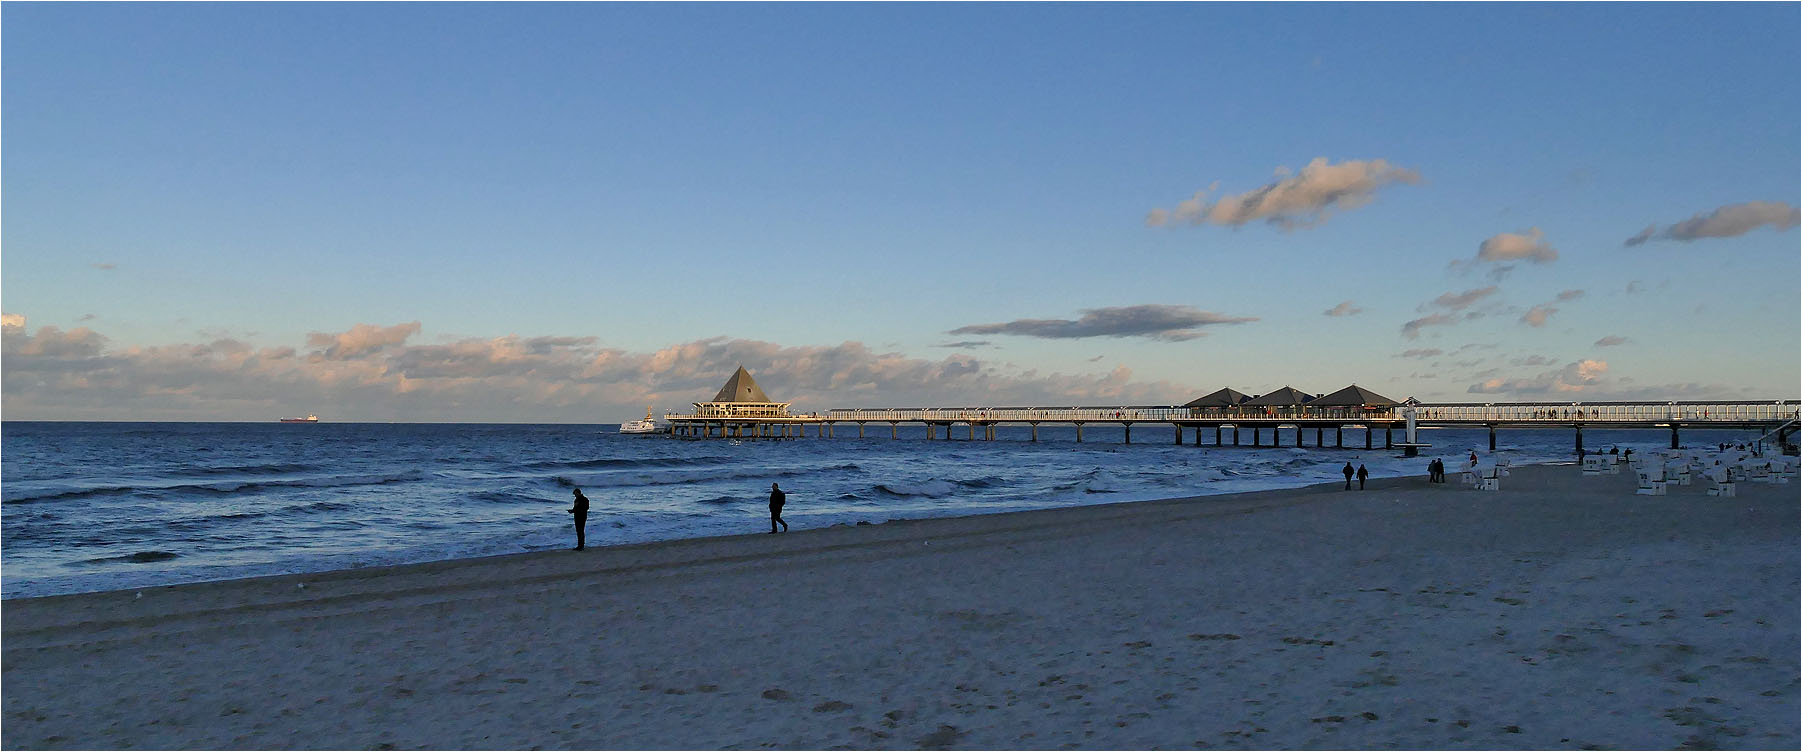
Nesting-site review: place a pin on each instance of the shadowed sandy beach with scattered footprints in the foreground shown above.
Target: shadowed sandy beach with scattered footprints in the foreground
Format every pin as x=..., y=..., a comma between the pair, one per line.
x=1559, y=613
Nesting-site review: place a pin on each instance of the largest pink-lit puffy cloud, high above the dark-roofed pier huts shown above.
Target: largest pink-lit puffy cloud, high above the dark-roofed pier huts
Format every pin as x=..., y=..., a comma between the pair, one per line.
x=1294, y=201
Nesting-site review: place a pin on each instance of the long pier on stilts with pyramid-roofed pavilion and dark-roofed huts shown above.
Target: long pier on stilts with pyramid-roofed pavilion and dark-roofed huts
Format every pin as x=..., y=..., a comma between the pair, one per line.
x=1283, y=417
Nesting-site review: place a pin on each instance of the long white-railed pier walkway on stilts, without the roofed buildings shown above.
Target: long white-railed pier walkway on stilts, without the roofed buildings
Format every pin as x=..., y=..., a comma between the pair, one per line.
x=1281, y=422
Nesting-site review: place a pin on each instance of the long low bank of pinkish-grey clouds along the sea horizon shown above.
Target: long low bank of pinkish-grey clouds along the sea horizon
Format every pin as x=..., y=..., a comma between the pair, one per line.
x=372, y=374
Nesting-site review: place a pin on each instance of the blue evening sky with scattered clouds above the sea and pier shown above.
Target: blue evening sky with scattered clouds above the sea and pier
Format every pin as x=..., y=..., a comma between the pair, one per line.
x=567, y=212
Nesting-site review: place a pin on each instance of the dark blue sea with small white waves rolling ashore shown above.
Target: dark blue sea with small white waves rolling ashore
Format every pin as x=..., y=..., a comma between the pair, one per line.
x=96, y=507
